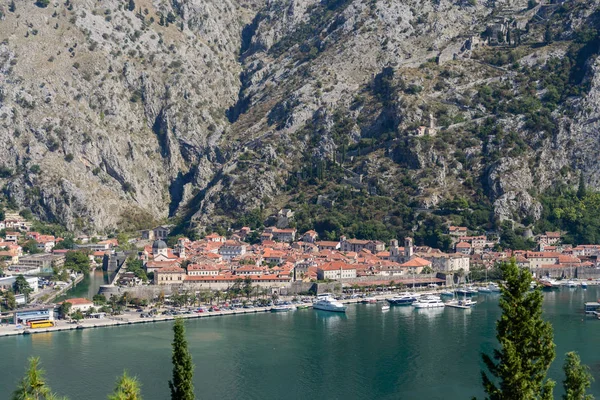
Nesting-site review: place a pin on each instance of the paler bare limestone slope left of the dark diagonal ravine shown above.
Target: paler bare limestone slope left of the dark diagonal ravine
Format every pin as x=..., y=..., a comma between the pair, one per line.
x=106, y=112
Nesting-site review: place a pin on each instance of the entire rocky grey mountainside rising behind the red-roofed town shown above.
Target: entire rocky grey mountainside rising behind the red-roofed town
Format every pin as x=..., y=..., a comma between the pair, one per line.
x=117, y=114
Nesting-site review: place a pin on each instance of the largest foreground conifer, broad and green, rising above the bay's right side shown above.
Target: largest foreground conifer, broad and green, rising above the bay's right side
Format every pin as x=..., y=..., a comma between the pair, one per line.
x=527, y=349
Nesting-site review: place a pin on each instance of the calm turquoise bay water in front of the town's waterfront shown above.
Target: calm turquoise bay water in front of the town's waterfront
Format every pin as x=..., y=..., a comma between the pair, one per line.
x=305, y=354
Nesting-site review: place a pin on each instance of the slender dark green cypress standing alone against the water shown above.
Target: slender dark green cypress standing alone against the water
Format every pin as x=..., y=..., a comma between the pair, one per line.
x=182, y=387
